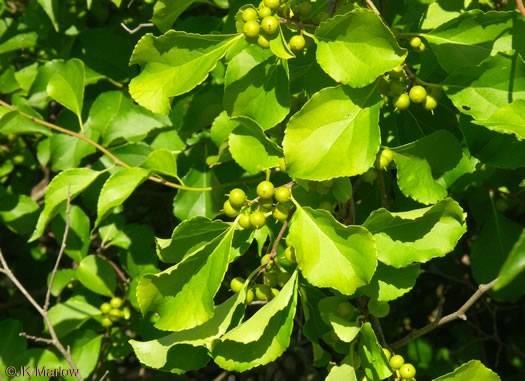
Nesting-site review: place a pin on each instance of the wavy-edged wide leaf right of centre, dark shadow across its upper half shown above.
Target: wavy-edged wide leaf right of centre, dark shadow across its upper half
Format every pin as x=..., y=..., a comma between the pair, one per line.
x=418, y=235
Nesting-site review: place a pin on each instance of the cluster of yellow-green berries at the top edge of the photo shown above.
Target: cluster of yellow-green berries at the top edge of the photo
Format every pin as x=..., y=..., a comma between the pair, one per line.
x=261, y=23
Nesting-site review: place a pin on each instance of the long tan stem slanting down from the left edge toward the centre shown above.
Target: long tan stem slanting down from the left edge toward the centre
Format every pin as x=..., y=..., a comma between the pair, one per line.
x=104, y=150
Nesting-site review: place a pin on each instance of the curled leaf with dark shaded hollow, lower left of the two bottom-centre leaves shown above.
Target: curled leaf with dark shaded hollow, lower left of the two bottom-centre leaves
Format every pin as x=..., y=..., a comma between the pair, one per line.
x=179, y=351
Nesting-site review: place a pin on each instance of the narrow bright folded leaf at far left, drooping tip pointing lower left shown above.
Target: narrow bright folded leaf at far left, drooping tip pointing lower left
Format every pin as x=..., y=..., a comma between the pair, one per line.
x=76, y=180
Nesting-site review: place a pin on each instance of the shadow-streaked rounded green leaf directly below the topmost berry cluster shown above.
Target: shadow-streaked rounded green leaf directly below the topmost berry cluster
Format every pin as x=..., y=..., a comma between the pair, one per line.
x=256, y=86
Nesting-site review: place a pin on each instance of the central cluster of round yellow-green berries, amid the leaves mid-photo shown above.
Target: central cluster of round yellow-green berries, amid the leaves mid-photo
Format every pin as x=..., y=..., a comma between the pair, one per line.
x=237, y=201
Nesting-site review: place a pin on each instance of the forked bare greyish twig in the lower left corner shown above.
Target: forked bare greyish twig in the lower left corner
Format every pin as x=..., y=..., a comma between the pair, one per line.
x=43, y=311
